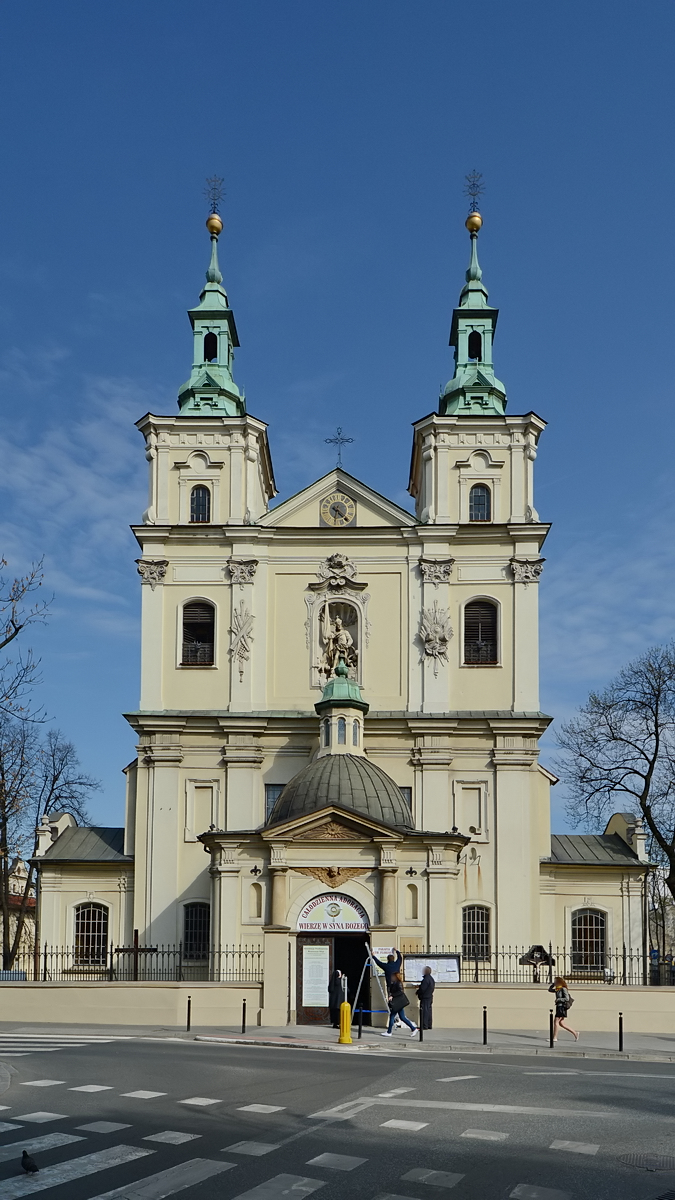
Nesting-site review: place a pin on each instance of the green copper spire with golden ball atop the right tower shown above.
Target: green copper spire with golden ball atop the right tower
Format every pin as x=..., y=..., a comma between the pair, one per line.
x=474, y=391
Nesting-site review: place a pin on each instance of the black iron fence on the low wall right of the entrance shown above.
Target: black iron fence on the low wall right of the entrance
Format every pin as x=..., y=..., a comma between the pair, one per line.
x=513, y=964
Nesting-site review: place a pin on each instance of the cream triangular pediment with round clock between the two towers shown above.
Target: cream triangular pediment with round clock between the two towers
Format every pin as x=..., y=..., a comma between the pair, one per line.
x=304, y=508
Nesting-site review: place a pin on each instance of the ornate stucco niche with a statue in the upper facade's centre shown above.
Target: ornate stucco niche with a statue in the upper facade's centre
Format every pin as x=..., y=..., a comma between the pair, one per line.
x=337, y=619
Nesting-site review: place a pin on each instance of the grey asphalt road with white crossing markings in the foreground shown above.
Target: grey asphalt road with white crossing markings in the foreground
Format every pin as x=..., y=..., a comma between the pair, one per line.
x=138, y=1119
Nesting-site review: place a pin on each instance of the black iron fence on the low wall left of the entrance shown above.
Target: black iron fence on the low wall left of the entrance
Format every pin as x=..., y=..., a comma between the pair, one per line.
x=157, y=964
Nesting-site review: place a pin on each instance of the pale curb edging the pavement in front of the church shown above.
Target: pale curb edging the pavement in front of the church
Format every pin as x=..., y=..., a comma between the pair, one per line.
x=367, y=1047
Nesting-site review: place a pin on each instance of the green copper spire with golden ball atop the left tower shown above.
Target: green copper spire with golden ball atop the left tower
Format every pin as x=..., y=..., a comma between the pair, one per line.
x=211, y=389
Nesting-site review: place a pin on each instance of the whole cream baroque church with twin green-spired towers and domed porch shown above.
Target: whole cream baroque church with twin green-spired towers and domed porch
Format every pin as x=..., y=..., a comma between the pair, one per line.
x=339, y=719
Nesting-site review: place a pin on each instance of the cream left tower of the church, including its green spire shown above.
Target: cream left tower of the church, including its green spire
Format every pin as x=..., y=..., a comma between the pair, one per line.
x=211, y=479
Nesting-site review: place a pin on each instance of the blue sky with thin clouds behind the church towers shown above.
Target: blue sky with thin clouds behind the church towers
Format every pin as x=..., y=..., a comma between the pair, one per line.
x=344, y=135
